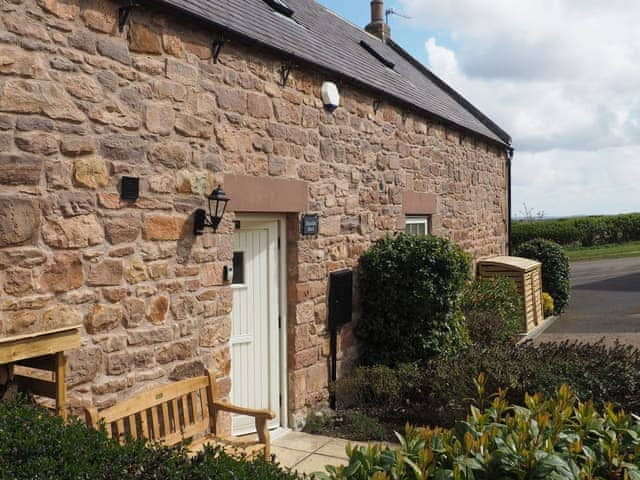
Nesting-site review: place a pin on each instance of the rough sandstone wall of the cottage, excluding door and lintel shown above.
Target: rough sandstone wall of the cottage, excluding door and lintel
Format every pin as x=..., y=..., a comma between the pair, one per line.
x=82, y=104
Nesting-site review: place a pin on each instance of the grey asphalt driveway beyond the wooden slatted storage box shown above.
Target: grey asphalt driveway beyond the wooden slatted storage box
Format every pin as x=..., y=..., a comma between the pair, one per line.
x=605, y=303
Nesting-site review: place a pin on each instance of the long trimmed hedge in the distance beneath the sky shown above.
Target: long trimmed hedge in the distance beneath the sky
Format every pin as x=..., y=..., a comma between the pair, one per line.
x=582, y=231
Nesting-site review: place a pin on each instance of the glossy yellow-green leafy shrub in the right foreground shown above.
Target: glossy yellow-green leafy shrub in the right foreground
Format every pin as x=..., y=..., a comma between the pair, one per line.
x=557, y=438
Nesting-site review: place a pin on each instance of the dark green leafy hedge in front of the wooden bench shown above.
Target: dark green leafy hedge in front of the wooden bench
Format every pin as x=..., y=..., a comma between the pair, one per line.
x=37, y=445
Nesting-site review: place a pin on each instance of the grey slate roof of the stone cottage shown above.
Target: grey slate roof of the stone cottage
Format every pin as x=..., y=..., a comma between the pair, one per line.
x=317, y=36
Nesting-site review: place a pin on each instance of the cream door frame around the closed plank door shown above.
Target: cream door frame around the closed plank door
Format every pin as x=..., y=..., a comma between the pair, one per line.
x=282, y=301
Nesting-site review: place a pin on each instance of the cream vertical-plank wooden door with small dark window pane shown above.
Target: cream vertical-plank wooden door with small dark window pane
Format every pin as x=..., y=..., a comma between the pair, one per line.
x=255, y=353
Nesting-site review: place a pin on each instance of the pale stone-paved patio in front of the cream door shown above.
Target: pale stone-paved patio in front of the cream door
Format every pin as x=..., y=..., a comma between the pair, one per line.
x=308, y=453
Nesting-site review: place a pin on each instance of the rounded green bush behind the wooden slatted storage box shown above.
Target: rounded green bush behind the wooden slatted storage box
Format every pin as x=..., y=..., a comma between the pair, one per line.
x=555, y=269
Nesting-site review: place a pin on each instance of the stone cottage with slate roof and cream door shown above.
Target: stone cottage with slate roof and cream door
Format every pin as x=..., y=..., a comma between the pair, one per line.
x=188, y=95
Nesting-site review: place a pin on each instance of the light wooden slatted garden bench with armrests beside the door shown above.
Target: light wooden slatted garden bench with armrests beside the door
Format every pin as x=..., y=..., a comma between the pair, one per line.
x=179, y=411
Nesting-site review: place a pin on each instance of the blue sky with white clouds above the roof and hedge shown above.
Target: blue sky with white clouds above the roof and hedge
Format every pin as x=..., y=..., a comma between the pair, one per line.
x=561, y=77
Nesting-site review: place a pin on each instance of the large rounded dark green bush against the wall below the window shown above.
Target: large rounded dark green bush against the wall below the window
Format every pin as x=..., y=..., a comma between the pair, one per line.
x=410, y=297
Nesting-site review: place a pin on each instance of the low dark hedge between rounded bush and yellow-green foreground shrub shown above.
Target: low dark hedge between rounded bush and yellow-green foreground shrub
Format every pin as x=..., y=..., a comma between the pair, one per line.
x=437, y=391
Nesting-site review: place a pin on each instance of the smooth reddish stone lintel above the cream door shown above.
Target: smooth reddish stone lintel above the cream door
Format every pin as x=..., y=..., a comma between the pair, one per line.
x=266, y=195
